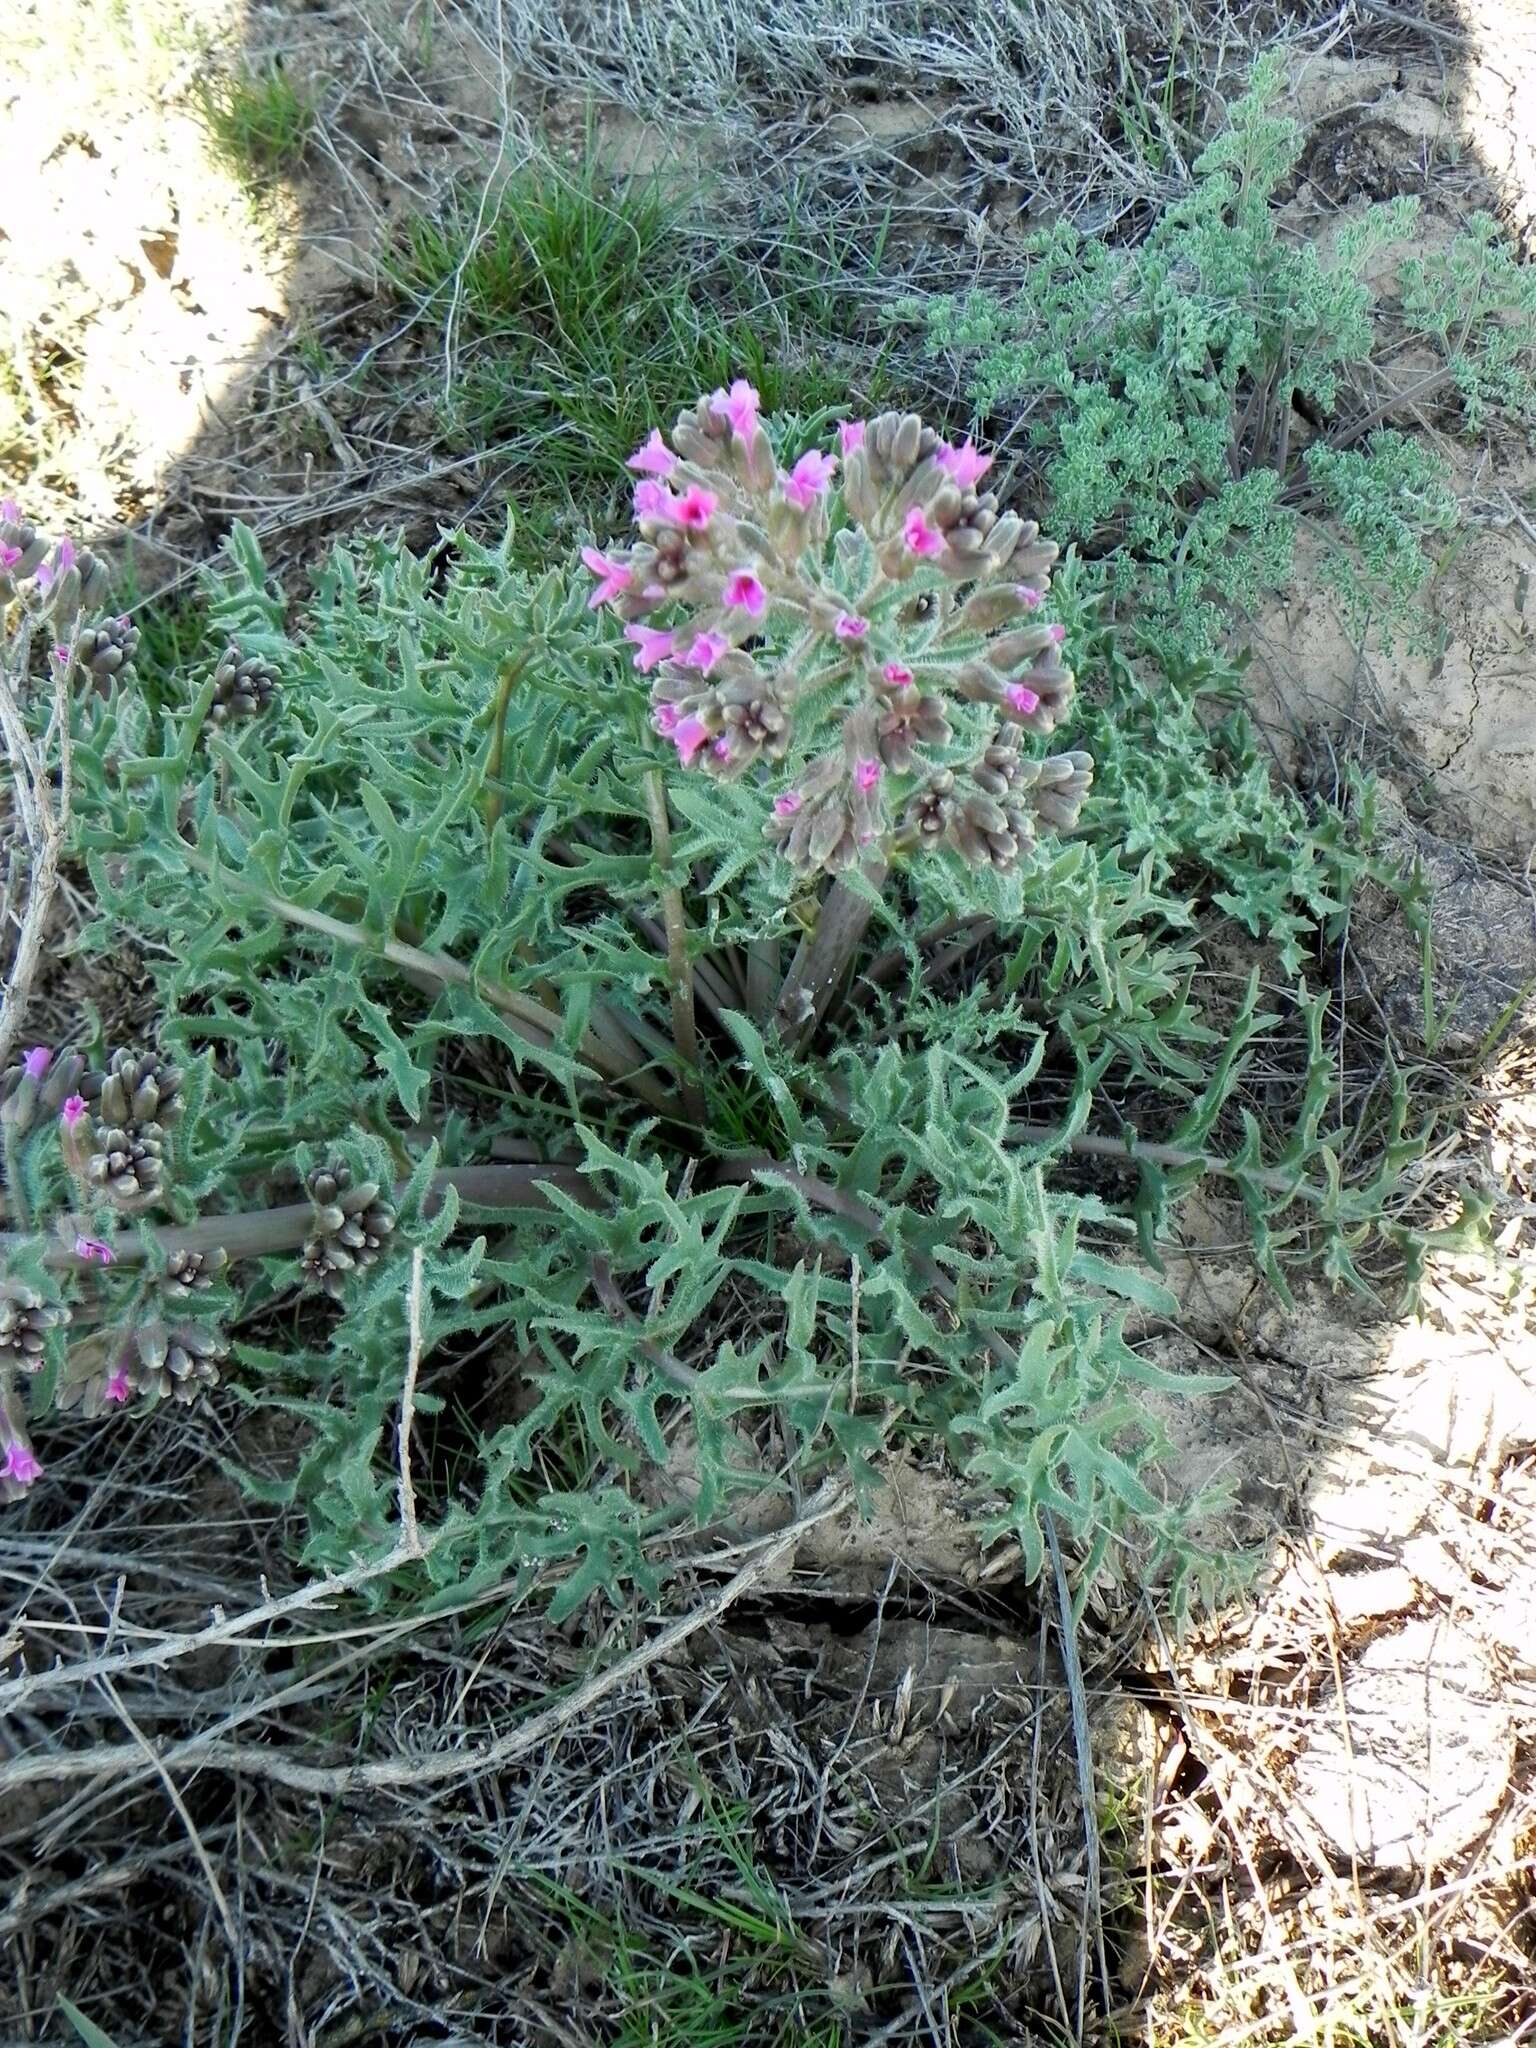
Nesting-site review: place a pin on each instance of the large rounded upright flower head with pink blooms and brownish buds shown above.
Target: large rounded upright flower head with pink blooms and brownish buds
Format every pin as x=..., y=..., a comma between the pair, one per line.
x=878, y=587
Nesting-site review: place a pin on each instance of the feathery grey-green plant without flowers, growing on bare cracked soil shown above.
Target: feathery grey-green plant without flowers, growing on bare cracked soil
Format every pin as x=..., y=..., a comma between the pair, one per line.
x=1191, y=396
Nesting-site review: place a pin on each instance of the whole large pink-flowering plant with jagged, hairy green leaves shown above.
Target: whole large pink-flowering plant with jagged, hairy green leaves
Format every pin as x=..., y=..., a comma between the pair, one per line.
x=757, y=1046
